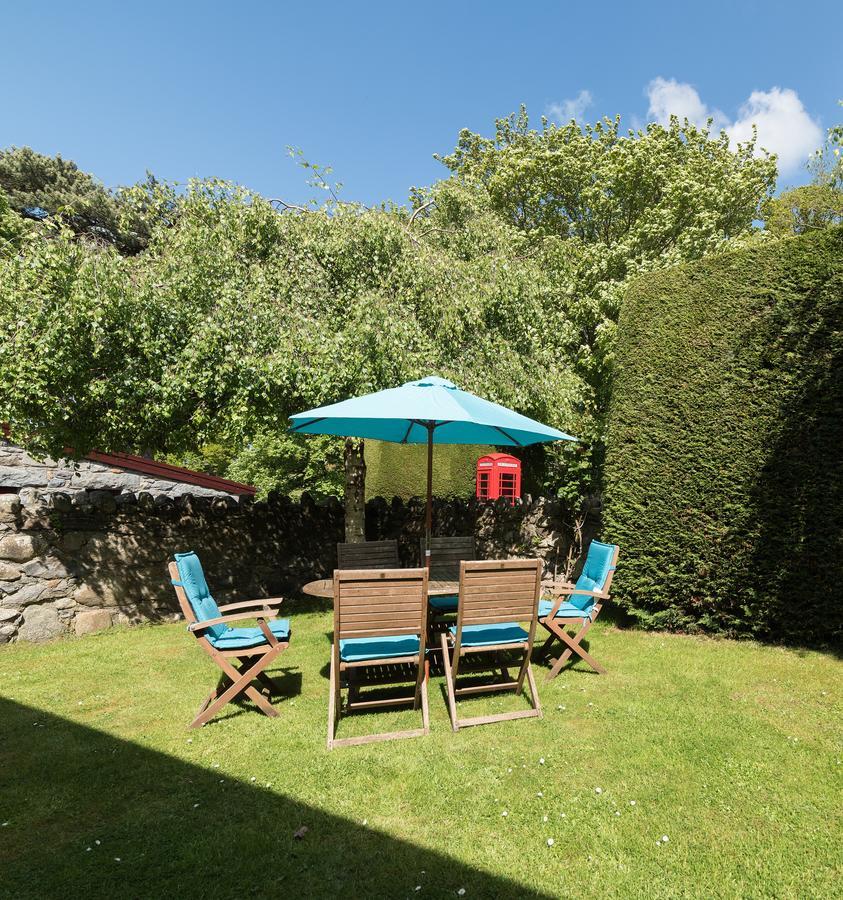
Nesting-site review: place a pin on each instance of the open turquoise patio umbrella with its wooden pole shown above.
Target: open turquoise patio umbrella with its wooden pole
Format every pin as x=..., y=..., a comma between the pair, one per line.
x=429, y=411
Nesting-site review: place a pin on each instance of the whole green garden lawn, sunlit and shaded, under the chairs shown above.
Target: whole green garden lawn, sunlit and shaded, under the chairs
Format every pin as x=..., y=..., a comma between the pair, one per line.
x=731, y=750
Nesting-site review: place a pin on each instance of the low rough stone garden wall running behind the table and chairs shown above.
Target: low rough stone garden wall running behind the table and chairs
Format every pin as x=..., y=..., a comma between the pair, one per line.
x=83, y=562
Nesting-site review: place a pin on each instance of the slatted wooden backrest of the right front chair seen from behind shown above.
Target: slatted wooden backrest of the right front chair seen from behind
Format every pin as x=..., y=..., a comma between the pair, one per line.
x=498, y=591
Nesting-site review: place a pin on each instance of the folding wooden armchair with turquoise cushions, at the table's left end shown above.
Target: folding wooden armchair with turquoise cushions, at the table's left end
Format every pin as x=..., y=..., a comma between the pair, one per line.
x=241, y=653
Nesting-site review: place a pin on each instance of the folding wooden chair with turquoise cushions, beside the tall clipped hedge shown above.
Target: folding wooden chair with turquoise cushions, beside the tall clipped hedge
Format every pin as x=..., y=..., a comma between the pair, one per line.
x=583, y=607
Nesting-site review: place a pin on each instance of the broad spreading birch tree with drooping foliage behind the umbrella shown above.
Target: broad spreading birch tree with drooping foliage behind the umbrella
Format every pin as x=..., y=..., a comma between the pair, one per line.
x=237, y=315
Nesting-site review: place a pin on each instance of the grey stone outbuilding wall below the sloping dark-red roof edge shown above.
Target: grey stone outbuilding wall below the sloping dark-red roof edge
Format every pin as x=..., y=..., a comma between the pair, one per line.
x=21, y=472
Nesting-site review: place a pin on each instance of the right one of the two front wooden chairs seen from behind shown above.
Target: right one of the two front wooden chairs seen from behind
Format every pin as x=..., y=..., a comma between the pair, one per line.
x=495, y=596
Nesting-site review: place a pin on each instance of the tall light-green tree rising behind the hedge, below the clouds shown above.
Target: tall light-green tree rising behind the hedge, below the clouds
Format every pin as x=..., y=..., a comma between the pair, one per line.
x=600, y=206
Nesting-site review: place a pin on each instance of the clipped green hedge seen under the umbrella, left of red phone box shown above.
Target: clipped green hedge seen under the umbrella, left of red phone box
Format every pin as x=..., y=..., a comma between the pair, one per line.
x=393, y=470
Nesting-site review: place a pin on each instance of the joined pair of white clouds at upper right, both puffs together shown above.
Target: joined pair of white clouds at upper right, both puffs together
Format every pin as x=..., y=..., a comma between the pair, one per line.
x=784, y=125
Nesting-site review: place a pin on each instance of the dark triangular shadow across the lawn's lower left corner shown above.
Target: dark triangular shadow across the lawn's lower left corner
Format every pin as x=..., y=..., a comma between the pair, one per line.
x=67, y=787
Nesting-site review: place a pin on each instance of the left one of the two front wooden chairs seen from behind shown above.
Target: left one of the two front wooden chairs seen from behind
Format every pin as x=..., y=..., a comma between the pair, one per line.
x=380, y=619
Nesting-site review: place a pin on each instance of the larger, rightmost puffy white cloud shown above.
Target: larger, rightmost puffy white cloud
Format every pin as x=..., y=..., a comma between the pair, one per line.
x=784, y=126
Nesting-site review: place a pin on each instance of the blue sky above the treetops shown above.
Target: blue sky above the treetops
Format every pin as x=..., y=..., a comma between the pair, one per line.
x=374, y=89
